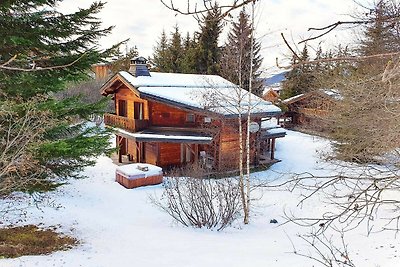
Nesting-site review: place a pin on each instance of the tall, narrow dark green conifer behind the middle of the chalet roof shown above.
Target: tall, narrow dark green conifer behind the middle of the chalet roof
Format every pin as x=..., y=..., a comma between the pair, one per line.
x=208, y=52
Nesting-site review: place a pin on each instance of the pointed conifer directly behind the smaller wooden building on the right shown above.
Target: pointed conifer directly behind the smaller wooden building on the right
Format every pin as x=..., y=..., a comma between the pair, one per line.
x=301, y=79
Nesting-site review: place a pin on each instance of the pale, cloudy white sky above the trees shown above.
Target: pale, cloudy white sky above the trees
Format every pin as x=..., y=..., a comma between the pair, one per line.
x=143, y=21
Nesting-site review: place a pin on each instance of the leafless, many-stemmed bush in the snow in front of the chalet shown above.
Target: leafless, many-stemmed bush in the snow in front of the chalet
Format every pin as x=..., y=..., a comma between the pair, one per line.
x=193, y=199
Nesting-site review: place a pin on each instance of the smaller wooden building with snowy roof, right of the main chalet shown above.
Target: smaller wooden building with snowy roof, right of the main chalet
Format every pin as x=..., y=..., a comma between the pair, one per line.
x=310, y=110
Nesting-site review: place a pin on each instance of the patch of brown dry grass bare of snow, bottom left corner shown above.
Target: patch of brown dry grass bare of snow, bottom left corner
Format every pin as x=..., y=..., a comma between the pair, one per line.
x=31, y=240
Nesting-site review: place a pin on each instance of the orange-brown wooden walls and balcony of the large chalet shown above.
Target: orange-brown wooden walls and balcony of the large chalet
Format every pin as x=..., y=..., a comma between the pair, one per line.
x=142, y=114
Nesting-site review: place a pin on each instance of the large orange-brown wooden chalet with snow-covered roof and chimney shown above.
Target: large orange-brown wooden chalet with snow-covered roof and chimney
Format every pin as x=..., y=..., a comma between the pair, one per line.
x=171, y=119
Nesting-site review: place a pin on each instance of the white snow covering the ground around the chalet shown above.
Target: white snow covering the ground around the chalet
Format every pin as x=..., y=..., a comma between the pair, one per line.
x=120, y=227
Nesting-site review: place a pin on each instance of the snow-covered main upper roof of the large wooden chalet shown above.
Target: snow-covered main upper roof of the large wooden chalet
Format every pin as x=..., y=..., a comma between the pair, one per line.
x=206, y=92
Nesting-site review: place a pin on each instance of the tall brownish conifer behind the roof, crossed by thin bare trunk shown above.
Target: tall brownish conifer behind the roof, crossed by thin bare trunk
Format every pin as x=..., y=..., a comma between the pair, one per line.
x=235, y=60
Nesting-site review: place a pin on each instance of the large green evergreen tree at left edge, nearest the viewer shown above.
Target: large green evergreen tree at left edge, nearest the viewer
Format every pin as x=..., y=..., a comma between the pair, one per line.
x=41, y=52
